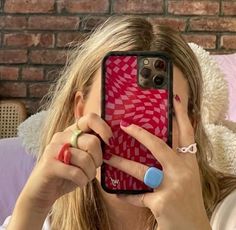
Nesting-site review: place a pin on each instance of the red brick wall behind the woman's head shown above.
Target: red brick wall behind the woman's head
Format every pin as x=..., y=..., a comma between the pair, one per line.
x=35, y=34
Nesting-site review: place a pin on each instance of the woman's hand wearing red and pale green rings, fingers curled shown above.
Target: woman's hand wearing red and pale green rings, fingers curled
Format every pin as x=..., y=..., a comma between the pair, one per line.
x=52, y=178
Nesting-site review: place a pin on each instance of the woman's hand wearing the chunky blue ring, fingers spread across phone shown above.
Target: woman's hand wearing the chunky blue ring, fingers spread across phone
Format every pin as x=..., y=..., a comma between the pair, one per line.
x=177, y=203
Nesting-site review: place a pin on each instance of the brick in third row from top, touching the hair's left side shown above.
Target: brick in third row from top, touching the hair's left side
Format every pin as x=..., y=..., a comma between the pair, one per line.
x=69, y=38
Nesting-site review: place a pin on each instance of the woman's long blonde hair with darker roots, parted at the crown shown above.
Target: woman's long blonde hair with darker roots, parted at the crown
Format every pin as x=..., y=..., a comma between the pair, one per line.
x=84, y=208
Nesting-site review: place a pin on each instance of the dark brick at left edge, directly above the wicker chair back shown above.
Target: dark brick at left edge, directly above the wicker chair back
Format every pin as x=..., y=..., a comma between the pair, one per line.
x=10, y=89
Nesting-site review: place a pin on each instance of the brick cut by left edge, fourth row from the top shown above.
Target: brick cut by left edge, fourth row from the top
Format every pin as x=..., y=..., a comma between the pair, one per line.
x=13, y=56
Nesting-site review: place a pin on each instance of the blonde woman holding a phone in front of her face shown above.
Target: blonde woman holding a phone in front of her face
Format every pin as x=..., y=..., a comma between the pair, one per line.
x=70, y=195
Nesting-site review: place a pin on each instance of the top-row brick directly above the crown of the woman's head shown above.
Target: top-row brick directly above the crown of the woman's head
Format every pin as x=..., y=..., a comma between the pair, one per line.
x=138, y=6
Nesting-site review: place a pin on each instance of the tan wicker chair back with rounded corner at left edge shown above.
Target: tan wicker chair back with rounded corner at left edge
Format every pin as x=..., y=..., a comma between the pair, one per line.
x=12, y=113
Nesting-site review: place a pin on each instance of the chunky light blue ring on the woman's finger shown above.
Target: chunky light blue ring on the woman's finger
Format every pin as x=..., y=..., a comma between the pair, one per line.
x=153, y=177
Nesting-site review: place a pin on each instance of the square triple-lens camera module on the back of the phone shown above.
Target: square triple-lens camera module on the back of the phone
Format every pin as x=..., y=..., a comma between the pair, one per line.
x=152, y=72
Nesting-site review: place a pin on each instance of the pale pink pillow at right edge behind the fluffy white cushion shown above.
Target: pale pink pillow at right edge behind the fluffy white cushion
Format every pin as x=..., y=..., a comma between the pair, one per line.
x=227, y=64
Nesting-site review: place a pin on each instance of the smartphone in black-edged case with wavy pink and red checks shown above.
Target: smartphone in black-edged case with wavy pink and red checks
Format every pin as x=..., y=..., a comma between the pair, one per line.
x=136, y=87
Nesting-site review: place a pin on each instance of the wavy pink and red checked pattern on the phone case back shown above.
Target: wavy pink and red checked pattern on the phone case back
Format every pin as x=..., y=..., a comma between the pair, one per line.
x=146, y=108
